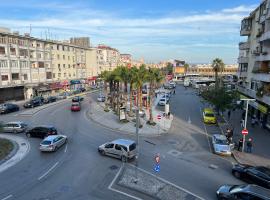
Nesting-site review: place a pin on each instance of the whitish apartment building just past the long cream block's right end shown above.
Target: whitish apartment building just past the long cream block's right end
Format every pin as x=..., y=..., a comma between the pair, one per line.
x=107, y=58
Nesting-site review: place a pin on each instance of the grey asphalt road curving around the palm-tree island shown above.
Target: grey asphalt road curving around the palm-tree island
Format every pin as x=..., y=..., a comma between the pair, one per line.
x=77, y=171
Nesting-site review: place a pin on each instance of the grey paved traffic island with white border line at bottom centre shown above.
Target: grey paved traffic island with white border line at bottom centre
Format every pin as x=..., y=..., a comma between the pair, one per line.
x=144, y=185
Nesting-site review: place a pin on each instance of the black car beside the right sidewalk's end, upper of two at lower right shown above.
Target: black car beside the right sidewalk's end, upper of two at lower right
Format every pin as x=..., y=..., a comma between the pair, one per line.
x=257, y=175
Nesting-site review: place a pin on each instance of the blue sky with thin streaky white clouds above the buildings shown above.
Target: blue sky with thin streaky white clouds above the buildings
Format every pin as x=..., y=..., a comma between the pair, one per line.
x=196, y=31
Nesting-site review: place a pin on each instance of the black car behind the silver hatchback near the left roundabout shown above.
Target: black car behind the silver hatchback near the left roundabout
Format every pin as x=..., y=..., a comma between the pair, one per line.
x=41, y=131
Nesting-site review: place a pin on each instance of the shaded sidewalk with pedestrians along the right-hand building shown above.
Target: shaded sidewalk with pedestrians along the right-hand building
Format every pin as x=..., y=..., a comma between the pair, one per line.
x=261, y=139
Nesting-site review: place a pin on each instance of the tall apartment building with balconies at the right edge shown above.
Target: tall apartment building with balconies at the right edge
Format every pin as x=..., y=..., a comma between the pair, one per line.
x=254, y=61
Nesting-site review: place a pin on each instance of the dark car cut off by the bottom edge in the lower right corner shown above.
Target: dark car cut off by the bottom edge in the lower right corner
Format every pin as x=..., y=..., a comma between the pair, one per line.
x=243, y=192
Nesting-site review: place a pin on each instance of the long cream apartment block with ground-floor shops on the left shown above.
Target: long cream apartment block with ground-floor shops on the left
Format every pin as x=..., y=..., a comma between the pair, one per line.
x=30, y=66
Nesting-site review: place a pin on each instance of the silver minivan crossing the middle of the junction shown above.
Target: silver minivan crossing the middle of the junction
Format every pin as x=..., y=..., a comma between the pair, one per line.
x=120, y=148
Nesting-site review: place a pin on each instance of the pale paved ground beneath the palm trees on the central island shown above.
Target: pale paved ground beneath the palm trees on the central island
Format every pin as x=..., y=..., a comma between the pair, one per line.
x=110, y=120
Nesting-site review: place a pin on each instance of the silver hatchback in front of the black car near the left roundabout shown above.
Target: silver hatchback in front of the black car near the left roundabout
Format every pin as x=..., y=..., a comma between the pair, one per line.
x=52, y=142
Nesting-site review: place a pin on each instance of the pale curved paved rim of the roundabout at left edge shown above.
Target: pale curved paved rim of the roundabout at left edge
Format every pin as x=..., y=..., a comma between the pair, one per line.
x=21, y=148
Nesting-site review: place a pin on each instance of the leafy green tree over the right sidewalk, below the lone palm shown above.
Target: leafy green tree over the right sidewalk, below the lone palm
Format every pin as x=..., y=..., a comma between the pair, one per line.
x=220, y=97
